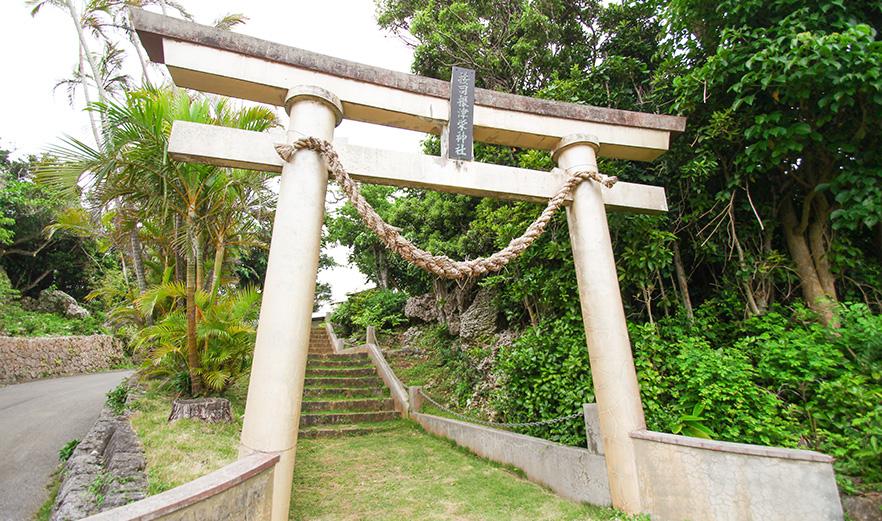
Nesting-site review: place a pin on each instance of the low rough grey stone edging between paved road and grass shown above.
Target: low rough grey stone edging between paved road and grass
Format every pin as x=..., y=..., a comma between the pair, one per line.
x=105, y=471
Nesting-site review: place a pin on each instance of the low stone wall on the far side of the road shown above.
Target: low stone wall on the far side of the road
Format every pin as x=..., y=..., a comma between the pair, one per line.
x=30, y=358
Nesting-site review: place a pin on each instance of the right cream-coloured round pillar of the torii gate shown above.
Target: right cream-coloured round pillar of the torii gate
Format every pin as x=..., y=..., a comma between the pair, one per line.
x=609, y=349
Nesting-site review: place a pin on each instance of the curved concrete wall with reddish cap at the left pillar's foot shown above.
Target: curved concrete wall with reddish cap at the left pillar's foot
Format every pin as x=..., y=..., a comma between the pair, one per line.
x=241, y=491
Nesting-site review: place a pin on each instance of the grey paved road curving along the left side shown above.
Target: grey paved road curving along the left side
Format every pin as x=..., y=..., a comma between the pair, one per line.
x=36, y=419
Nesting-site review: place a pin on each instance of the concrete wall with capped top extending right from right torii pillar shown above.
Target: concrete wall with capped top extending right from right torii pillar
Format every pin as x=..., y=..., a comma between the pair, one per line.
x=690, y=478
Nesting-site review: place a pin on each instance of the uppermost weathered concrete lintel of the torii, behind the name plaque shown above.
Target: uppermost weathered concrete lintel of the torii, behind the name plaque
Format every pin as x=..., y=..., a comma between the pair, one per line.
x=231, y=64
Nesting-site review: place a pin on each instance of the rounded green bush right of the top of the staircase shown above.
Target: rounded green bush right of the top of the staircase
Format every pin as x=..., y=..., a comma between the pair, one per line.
x=381, y=308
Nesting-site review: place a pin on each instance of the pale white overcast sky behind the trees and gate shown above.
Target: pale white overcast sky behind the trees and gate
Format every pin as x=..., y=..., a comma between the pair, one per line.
x=39, y=51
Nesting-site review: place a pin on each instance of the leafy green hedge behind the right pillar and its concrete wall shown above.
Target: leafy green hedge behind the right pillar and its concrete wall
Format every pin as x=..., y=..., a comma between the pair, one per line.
x=780, y=379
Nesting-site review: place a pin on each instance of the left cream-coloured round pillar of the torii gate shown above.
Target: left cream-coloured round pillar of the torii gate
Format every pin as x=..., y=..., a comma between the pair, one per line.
x=275, y=392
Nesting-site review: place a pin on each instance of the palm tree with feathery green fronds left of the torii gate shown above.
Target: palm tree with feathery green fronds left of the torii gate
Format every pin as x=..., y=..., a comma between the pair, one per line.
x=132, y=170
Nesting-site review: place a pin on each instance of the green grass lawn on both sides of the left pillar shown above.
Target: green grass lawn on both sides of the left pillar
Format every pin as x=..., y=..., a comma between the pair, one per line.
x=402, y=473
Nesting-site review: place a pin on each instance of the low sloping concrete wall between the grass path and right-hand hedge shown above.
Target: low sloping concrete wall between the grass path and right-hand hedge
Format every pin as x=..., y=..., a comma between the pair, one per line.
x=571, y=472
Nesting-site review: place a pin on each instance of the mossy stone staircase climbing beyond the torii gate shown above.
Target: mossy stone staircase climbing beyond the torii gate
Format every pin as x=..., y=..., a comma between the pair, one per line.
x=342, y=394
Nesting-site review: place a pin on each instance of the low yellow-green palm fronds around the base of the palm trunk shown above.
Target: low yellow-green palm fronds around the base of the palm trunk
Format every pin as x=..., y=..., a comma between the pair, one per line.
x=225, y=337
